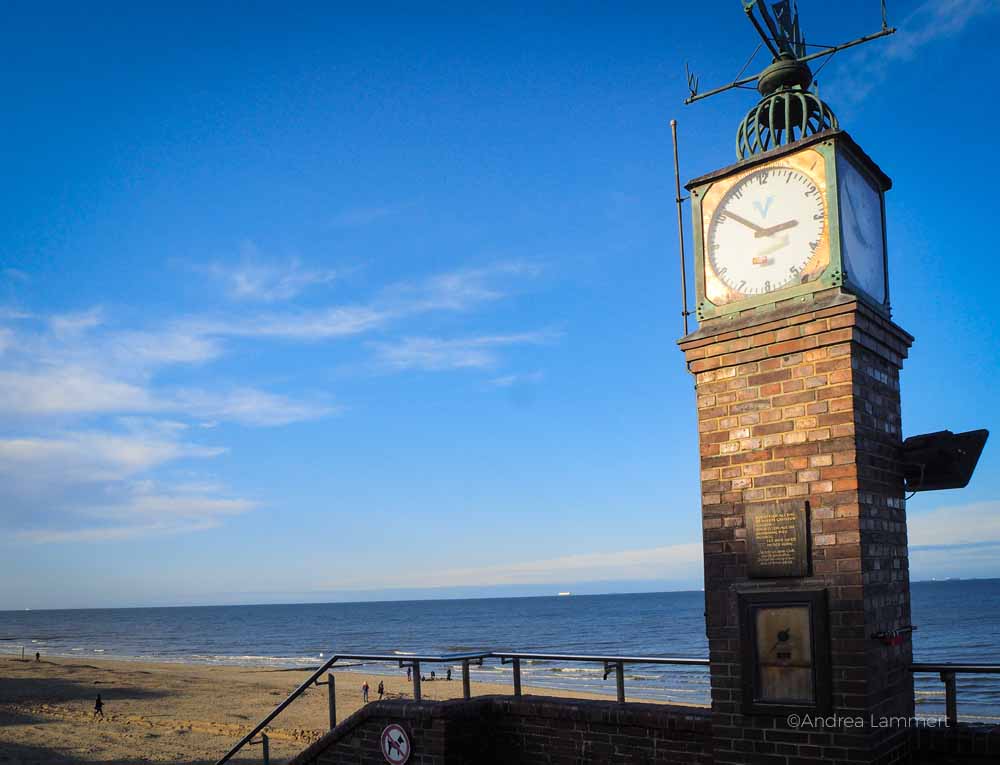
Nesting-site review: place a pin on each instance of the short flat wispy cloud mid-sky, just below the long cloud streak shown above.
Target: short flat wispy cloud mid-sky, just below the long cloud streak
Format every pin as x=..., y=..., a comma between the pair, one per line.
x=436, y=354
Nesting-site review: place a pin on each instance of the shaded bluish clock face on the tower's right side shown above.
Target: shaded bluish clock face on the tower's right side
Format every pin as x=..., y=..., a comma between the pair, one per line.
x=861, y=239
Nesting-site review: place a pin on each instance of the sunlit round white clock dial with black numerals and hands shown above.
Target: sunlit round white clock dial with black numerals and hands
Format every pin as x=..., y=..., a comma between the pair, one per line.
x=765, y=230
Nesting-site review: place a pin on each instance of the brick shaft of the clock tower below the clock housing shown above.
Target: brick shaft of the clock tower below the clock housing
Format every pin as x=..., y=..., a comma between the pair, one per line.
x=803, y=406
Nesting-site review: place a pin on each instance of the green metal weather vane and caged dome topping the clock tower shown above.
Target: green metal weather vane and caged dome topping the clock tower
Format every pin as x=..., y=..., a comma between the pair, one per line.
x=788, y=109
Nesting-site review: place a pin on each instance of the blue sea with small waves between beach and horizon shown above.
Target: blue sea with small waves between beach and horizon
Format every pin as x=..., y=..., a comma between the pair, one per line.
x=957, y=621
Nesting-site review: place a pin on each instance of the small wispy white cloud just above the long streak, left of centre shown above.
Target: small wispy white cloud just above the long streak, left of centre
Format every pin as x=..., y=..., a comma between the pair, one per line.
x=257, y=279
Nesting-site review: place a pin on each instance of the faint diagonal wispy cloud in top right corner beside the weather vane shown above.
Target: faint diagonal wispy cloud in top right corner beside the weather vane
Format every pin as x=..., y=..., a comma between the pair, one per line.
x=930, y=22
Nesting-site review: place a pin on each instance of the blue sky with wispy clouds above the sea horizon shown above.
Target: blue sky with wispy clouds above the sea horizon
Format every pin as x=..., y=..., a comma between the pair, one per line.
x=336, y=301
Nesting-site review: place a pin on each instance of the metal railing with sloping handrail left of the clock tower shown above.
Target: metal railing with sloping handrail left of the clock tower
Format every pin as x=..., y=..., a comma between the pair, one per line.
x=611, y=664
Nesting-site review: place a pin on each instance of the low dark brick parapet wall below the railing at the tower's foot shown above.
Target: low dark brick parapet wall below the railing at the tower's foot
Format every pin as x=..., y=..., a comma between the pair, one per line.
x=550, y=731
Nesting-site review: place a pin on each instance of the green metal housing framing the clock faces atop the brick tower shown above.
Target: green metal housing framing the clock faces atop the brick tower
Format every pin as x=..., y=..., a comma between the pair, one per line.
x=830, y=144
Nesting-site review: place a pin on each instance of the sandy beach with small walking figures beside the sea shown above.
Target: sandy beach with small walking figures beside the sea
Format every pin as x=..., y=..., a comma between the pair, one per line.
x=175, y=713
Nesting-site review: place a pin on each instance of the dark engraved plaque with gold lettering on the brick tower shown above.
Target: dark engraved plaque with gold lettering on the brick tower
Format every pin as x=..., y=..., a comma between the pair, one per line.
x=778, y=540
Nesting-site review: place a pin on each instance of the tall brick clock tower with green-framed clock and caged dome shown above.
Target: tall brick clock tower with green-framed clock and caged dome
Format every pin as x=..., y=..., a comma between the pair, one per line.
x=796, y=365
